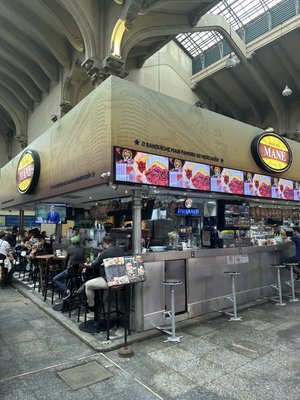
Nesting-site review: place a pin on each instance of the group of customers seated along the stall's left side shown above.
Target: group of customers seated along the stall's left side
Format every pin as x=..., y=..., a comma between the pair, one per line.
x=32, y=243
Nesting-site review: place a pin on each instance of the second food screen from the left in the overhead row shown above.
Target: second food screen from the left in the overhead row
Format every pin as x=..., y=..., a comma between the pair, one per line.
x=189, y=175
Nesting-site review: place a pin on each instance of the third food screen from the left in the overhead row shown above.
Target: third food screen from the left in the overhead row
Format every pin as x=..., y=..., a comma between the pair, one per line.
x=227, y=180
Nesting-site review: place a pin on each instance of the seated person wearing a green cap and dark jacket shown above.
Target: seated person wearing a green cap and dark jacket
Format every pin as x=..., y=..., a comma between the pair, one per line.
x=75, y=256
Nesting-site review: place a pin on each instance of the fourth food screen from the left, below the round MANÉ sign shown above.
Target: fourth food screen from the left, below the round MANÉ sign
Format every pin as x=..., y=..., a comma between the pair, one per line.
x=257, y=185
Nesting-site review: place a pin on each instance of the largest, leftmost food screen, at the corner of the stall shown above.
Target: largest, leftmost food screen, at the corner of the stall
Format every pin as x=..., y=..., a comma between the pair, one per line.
x=144, y=168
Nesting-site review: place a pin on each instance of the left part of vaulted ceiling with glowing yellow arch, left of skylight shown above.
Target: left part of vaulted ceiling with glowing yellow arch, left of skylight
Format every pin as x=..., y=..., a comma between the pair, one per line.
x=43, y=41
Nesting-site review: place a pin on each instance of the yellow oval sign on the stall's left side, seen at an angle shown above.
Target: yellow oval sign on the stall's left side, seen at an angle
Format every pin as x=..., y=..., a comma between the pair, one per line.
x=28, y=172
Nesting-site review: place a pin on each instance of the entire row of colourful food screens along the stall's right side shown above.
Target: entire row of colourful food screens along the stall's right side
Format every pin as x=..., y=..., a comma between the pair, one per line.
x=133, y=166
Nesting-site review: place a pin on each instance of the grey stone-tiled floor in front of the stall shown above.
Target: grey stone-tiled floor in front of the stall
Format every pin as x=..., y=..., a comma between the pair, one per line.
x=256, y=359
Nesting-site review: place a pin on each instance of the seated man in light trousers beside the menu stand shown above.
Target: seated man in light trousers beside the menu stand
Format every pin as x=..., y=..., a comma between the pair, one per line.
x=110, y=251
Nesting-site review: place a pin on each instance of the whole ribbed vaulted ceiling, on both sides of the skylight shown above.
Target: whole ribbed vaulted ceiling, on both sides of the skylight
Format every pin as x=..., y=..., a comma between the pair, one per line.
x=45, y=41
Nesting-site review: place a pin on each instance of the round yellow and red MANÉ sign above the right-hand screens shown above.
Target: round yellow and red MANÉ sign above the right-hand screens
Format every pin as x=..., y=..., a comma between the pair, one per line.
x=271, y=152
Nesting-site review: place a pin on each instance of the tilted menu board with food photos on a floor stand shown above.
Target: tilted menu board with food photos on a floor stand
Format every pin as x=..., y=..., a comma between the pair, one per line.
x=124, y=270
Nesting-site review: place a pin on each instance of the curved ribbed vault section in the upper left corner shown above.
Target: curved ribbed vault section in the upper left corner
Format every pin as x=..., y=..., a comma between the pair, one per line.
x=38, y=38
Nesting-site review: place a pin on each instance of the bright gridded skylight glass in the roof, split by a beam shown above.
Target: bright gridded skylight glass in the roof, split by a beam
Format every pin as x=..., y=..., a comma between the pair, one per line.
x=238, y=13
